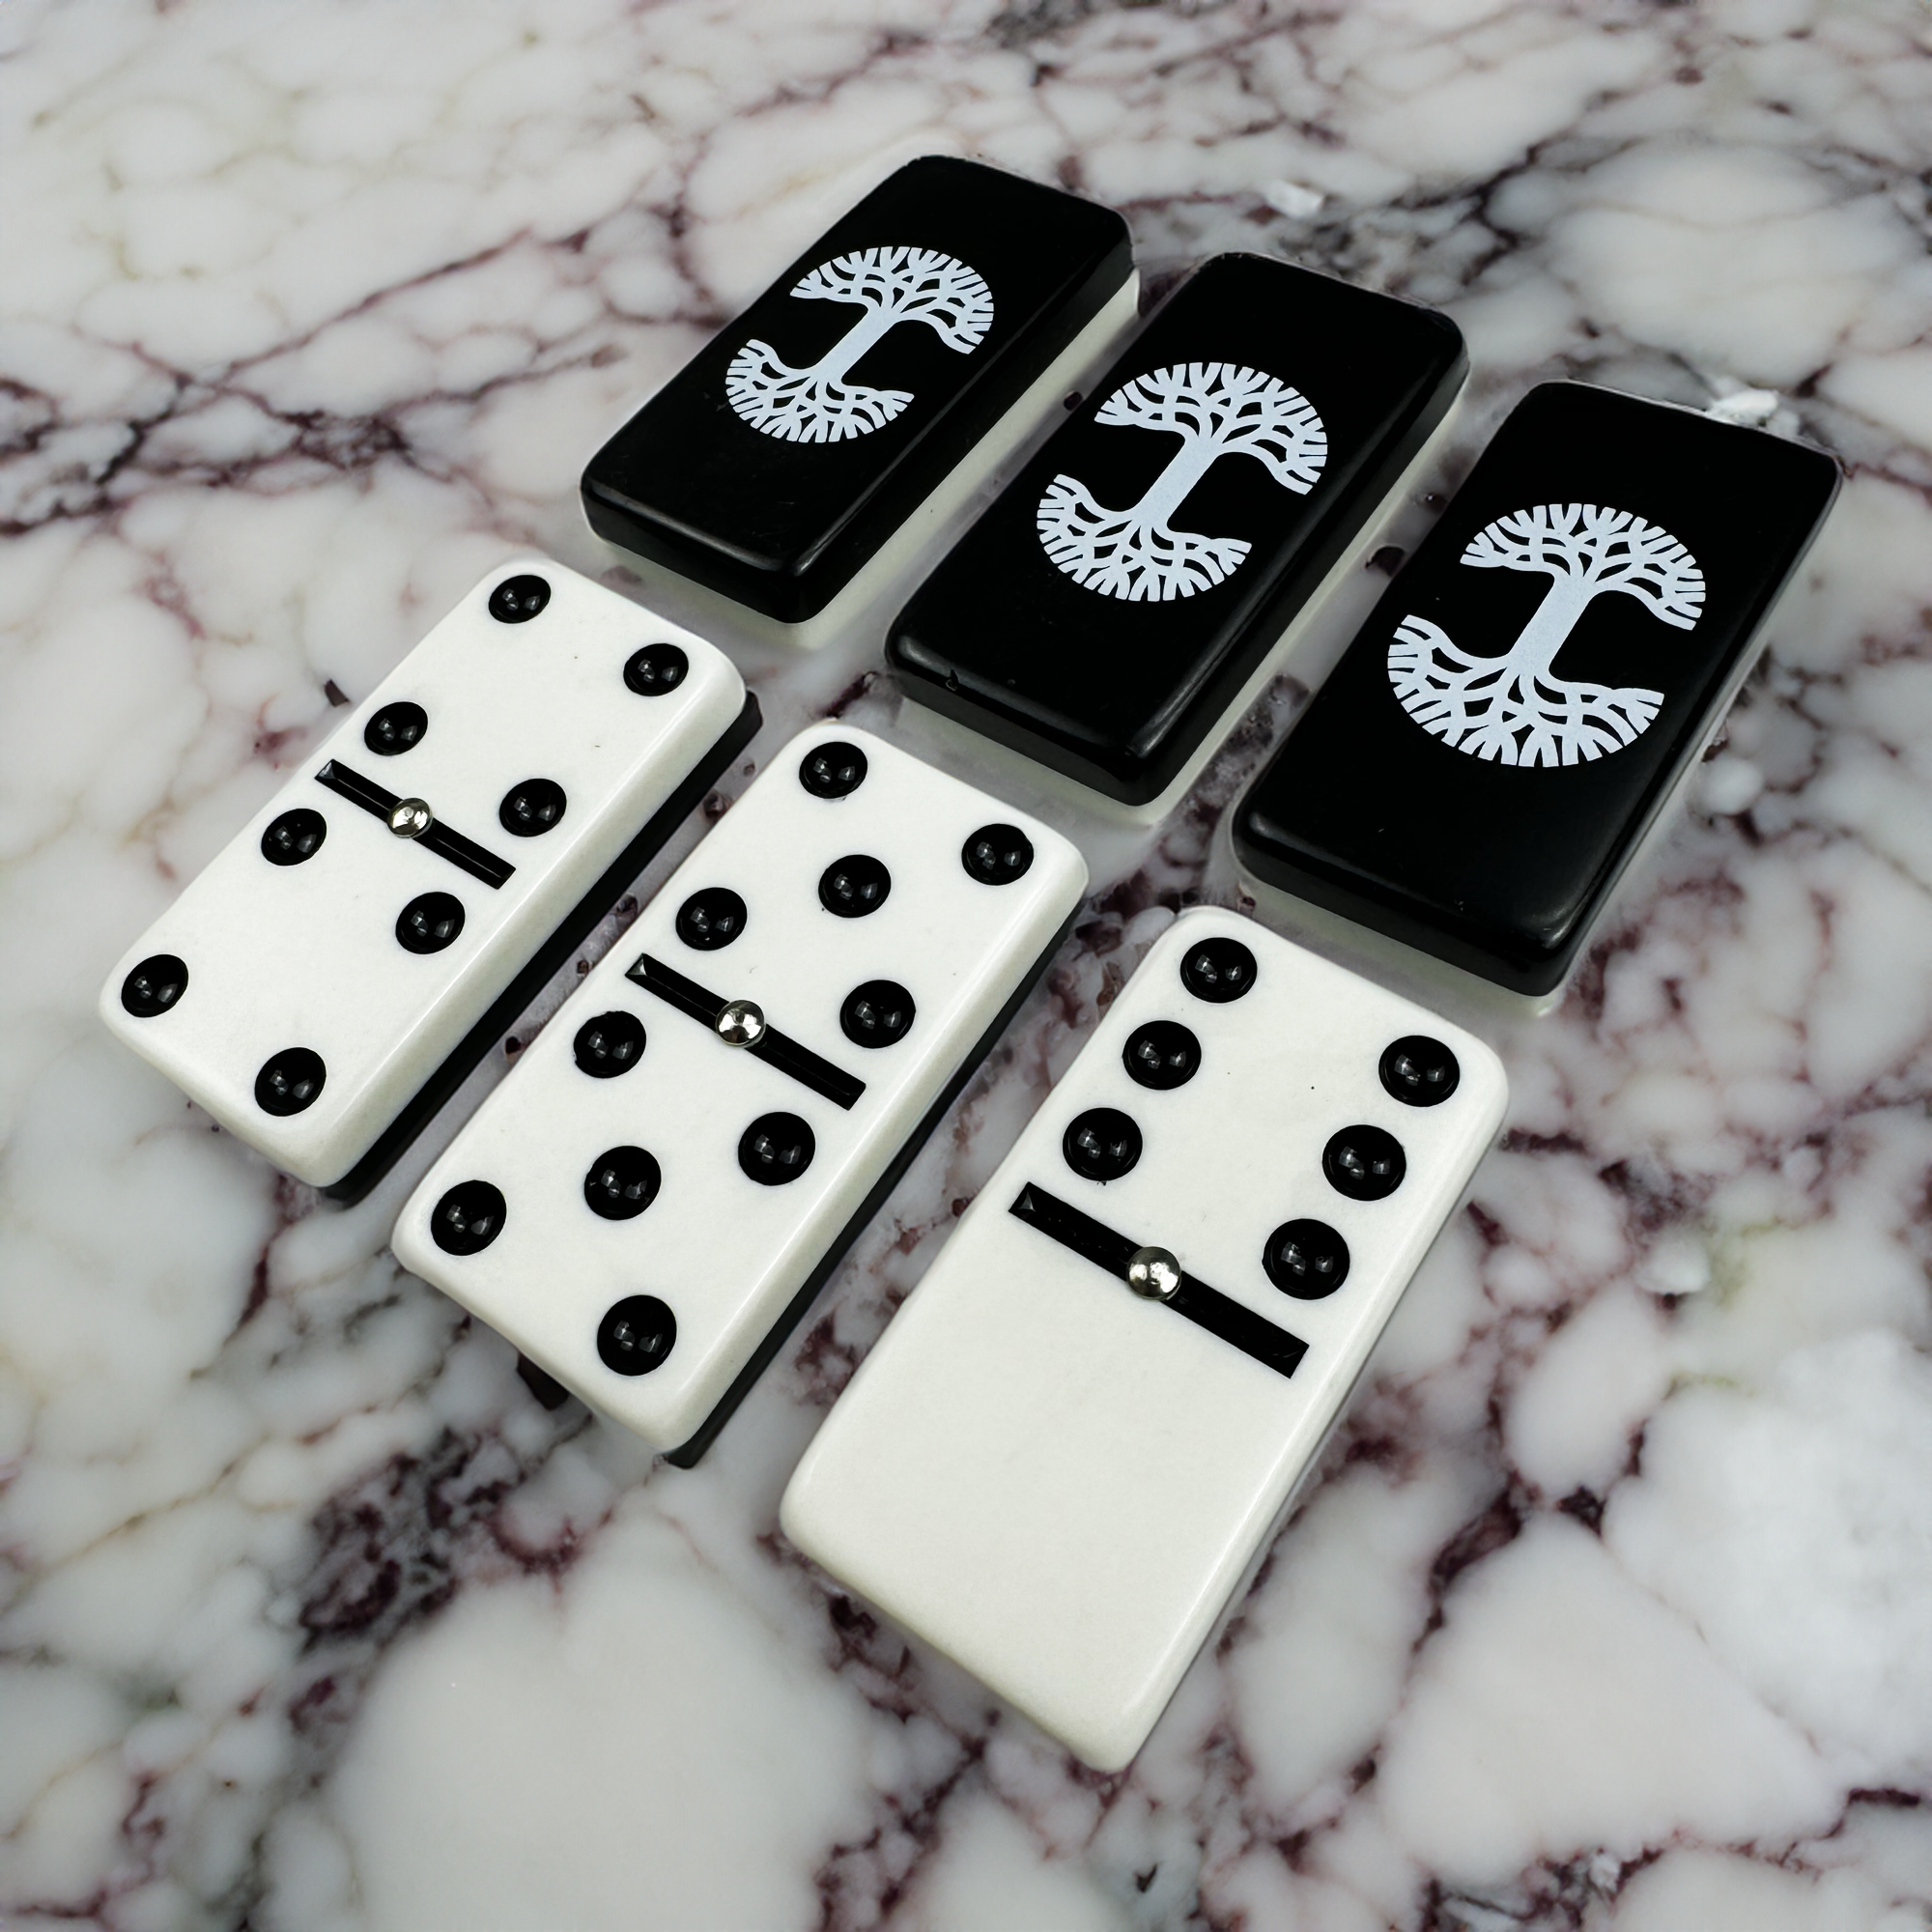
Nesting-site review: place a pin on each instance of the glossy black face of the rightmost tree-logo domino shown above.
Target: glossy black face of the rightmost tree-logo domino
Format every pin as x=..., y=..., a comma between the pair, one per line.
x=1498, y=739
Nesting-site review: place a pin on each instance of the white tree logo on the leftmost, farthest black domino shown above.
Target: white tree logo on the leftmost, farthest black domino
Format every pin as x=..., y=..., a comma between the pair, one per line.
x=892, y=285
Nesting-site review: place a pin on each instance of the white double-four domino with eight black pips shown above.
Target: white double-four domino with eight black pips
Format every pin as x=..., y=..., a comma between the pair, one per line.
x=341, y=967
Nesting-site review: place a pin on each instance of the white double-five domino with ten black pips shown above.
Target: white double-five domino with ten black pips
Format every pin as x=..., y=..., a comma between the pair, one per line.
x=677, y=1164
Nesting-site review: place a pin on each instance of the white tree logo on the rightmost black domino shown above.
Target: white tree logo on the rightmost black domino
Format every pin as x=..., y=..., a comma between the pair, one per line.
x=1512, y=708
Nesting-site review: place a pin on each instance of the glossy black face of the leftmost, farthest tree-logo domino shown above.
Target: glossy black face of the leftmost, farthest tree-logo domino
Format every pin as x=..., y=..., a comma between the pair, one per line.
x=793, y=445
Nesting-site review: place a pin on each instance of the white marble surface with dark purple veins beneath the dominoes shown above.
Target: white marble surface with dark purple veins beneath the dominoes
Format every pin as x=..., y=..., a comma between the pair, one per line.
x=1608, y=1606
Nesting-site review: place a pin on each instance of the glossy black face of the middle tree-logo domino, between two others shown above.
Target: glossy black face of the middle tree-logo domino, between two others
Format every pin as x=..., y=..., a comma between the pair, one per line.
x=1112, y=604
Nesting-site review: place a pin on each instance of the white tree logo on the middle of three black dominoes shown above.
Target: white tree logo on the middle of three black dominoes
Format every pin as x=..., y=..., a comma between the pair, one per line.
x=1218, y=411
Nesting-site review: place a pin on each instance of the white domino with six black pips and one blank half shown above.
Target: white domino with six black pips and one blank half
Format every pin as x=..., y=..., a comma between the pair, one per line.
x=1077, y=1436
